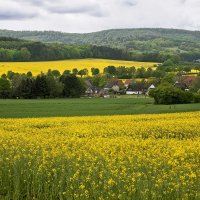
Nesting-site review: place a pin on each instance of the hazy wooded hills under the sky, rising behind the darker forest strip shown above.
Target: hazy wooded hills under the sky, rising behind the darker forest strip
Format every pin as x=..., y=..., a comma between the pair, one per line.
x=155, y=45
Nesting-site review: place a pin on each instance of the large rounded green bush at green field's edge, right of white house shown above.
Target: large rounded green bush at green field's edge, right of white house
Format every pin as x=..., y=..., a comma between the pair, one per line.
x=168, y=94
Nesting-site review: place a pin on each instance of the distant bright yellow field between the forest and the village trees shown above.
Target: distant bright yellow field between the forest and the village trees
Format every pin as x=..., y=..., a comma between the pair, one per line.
x=38, y=67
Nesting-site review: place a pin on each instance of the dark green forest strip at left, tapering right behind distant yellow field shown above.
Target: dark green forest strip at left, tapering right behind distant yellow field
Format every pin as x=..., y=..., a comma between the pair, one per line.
x=22, y=50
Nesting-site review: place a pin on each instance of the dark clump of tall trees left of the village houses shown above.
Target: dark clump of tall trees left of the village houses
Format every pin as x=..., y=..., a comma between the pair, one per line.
x=50, y=85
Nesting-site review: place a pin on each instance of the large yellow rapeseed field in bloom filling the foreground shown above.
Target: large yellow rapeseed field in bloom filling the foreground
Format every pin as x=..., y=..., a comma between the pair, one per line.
x=111, y=157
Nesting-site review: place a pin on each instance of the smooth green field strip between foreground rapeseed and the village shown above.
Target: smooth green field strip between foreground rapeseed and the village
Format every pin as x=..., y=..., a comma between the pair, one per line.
x=87, y=107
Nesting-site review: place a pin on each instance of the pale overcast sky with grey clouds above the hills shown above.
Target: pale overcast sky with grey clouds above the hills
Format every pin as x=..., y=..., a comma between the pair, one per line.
x=95, y=15
